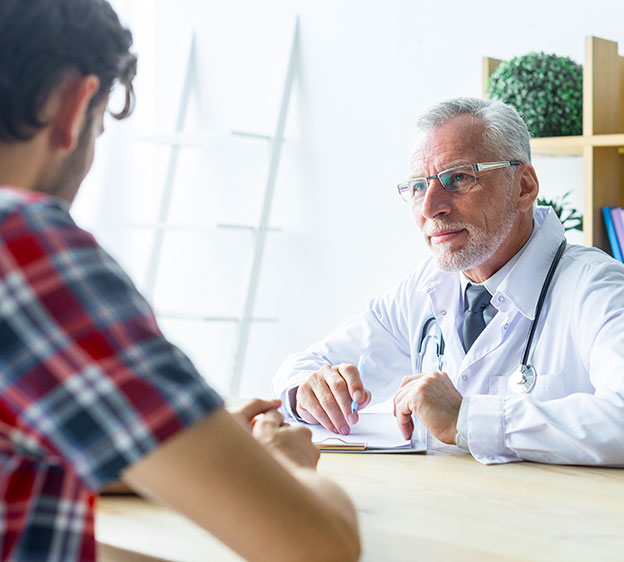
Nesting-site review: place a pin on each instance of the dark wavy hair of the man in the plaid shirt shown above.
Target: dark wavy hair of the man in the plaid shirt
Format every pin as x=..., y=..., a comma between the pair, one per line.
x=43, y=40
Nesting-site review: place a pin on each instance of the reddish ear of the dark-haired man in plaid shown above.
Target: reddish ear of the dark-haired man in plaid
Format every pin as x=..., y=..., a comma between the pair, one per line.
x=71, y=108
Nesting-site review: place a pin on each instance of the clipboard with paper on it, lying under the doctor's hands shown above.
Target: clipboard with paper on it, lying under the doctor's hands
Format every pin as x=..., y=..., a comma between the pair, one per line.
x=375, y=433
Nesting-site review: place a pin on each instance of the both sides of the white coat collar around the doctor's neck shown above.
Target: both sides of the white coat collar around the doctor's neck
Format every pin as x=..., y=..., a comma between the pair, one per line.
x=524, y=281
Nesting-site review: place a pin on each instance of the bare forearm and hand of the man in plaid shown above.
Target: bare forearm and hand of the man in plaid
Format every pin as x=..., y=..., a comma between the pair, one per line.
x=264, y=506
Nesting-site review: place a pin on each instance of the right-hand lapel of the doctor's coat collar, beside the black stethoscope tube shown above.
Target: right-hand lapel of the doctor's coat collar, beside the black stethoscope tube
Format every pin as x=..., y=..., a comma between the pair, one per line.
x=524, y=282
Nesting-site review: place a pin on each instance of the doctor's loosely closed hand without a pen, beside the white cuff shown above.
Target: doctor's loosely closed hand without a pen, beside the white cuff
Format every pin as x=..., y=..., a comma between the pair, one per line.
x=434, y=400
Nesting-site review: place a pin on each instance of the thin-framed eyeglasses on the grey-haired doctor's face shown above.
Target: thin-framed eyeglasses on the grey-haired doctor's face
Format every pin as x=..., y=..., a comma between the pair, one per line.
x=455, y=180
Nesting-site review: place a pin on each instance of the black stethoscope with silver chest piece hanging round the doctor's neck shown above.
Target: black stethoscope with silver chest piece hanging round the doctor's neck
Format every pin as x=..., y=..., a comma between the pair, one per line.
x=522, y=378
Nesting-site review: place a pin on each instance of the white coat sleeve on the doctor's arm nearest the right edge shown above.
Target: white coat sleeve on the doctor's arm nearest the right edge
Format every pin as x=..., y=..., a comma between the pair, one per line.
x=582, y=428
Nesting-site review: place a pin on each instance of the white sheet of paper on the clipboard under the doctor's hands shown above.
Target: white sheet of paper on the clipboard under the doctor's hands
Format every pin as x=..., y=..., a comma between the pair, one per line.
x=376, y=430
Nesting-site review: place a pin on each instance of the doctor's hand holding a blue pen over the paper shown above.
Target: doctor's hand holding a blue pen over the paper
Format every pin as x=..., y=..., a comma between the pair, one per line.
x=326, y=397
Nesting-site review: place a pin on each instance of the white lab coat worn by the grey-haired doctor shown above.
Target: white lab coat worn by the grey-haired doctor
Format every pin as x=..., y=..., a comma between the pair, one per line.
x=575, y=412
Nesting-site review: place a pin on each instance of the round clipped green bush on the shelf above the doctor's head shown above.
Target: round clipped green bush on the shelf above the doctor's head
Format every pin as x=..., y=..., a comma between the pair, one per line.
x=547, y=91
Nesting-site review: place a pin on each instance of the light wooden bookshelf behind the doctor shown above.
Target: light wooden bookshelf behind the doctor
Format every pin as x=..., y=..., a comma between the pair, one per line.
x=602, y=141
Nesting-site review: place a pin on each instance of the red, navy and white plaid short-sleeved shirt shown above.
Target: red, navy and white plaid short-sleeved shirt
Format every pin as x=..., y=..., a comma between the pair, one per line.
x=88, y=384
